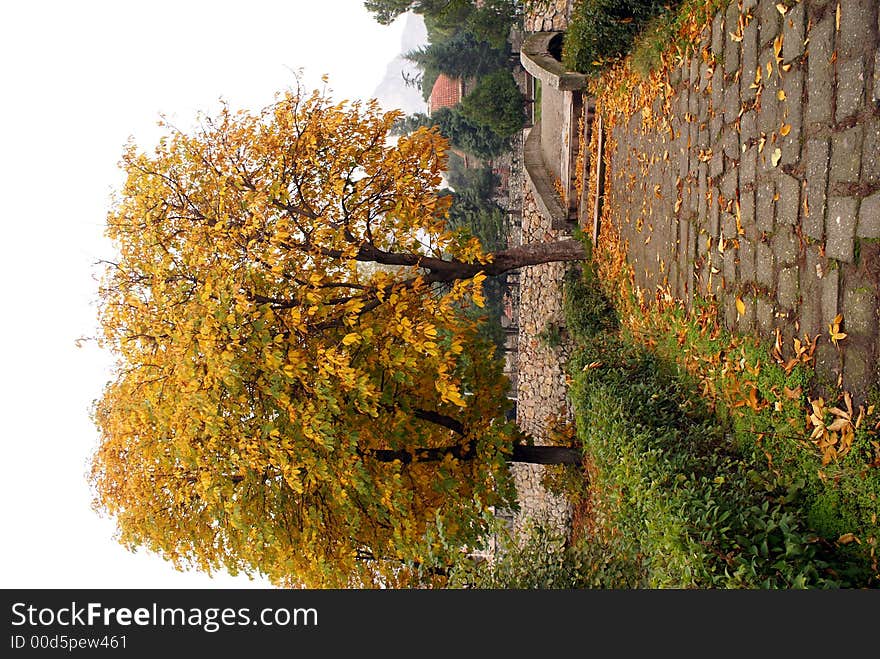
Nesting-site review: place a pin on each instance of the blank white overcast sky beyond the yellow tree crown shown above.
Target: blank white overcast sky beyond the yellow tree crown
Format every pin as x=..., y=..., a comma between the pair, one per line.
x=76, y=79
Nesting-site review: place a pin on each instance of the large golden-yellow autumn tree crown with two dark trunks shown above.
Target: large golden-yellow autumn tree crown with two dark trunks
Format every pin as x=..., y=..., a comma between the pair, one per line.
x=297, y=393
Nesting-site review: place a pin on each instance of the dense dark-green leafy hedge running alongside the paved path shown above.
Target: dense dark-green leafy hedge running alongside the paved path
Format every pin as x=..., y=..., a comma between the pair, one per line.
x=699, y=513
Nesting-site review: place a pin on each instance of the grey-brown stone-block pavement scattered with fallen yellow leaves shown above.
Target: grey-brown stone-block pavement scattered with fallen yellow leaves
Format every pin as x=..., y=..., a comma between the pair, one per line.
x=757, y=177
